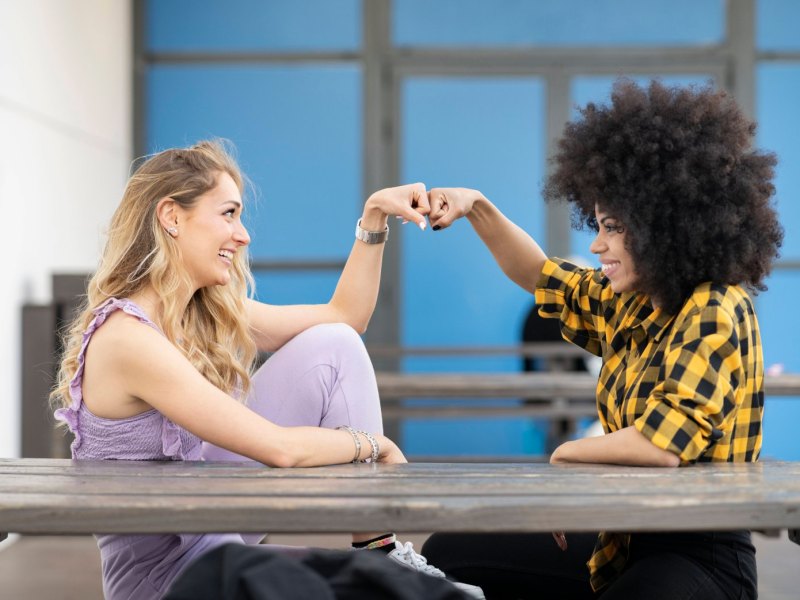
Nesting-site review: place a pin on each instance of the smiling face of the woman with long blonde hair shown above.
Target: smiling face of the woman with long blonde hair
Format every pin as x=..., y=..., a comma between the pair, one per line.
x=211, y=232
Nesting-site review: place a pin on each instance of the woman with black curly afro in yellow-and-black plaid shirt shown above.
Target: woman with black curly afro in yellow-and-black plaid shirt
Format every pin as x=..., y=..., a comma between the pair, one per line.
x=681, y=205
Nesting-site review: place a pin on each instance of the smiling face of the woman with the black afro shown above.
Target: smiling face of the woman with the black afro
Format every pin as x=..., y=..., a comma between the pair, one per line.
x=616, y=261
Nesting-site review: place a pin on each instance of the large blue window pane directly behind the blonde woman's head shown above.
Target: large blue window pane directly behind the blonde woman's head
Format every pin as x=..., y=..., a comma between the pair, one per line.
x=298, y=135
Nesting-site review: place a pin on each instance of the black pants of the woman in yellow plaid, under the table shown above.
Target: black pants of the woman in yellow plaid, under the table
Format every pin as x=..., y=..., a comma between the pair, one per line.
x=662, y=566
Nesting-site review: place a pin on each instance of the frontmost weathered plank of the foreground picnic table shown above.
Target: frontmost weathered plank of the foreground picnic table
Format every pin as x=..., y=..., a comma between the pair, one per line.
x=31, y=513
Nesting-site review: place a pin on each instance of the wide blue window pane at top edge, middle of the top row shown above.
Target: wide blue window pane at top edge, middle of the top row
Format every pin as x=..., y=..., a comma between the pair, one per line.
x=557, y=22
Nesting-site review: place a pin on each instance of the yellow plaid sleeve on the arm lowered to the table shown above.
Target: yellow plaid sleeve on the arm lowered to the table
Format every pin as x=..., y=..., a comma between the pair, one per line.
x=695, y=401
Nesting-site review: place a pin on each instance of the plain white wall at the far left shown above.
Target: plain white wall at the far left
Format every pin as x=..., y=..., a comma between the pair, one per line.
x=65, y=149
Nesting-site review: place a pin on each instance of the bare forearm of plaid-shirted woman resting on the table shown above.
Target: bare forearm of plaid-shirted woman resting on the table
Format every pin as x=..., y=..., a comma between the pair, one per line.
x=624, y=447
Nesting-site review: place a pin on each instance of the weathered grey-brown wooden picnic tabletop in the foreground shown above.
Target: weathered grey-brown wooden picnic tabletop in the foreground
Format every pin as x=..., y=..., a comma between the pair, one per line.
x=60, y=496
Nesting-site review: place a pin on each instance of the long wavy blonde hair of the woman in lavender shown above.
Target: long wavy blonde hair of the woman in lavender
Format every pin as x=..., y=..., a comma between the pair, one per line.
x=212, y=331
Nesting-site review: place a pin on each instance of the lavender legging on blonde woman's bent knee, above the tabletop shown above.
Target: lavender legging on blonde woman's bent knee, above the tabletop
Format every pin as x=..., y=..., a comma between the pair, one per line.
x=323, y=377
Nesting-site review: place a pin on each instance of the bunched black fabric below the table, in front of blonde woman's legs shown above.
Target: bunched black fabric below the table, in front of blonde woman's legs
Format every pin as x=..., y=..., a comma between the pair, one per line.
x=239, y=572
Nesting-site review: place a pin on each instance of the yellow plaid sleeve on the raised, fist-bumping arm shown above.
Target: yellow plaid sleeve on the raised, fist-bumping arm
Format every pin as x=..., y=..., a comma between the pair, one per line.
x=574, y=295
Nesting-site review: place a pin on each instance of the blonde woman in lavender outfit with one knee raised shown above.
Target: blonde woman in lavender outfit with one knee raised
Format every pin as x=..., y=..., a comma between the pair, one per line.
x=159, y=359
